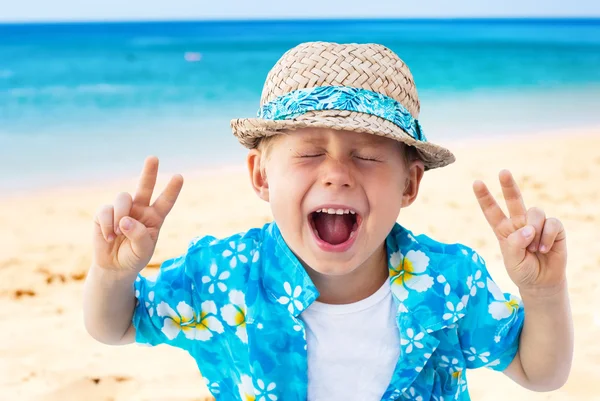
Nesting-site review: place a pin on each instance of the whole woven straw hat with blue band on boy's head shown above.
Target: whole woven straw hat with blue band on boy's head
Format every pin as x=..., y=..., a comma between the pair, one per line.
x=354, y=87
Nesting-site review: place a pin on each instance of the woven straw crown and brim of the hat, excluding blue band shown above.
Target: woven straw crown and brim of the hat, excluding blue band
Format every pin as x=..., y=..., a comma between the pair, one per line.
x=367, y=66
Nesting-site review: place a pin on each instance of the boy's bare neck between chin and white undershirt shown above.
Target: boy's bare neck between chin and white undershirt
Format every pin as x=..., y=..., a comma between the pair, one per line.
x=354, y=286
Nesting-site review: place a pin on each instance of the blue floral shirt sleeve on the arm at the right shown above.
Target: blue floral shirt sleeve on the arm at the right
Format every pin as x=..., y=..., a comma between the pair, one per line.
x=489, y=333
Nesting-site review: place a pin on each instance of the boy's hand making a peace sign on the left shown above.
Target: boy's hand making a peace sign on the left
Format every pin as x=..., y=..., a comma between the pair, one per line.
x=126, y=232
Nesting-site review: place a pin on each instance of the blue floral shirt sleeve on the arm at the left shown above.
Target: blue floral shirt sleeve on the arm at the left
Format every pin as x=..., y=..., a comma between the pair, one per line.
x=165, y=305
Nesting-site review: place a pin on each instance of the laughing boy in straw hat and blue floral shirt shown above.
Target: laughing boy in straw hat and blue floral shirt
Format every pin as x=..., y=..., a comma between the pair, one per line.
x=334, y=300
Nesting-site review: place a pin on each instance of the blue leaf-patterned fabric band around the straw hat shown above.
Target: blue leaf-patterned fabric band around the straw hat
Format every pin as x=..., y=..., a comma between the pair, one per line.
x=295, y=103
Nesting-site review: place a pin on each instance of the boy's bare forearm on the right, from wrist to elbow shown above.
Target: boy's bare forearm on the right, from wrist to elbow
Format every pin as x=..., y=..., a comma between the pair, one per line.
x=546, y=342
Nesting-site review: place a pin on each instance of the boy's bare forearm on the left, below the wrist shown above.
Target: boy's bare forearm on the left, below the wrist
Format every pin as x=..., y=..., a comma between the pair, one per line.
x=108, y=305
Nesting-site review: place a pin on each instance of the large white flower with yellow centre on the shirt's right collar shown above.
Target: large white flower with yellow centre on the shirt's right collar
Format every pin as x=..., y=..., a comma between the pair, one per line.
x=409, y=273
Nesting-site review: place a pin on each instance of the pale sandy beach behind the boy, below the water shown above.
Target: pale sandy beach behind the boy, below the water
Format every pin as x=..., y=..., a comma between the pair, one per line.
x=45, y=251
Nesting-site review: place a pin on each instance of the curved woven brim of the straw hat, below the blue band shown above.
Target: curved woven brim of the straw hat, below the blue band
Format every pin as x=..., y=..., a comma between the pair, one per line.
x=249, y=131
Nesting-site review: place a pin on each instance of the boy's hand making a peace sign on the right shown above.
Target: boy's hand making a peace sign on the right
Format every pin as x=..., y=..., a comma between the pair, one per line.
x=533, y=247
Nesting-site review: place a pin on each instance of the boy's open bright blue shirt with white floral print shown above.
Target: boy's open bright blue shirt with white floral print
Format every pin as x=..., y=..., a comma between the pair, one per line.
x=234, y=305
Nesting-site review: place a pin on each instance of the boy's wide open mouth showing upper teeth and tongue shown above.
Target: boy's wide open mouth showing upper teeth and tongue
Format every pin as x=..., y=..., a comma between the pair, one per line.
x=335, y=227
